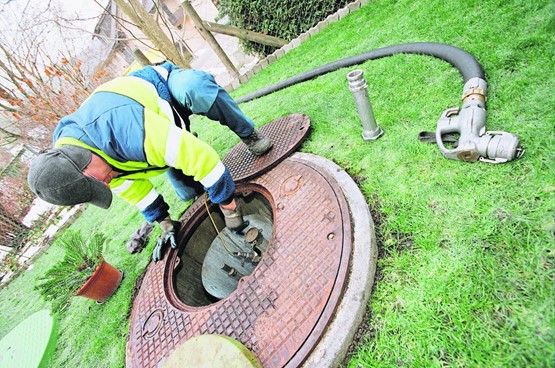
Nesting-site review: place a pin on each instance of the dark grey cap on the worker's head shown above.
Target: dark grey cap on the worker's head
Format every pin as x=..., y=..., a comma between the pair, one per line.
x=56, y=176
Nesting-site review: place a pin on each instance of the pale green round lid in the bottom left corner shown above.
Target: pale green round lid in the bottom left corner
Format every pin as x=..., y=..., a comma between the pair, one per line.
x=31, y=343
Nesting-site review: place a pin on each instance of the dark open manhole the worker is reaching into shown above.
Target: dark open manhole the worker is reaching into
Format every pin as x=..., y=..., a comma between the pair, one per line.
x=212, y=265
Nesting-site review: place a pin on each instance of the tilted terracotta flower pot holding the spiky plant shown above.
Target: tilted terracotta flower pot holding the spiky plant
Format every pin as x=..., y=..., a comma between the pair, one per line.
x=102, y=284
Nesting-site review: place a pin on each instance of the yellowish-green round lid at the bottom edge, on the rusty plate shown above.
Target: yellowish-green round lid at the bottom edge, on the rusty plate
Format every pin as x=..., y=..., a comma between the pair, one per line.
x=209, y=351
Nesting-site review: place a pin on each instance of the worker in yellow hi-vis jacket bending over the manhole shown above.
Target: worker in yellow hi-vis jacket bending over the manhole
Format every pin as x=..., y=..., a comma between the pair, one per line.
x=136, y=127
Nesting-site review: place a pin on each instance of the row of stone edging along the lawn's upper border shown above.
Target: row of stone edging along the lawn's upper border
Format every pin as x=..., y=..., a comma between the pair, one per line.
x=268, y=60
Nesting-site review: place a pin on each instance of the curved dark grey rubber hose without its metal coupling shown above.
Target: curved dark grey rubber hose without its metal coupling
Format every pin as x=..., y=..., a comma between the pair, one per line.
x=460, y=59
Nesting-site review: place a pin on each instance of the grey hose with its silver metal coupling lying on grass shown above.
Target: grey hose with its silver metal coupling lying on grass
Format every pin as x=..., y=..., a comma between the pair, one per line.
x=474, y=143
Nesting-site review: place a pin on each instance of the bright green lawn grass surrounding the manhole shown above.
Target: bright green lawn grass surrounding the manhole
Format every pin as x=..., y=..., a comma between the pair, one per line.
x=466, y=268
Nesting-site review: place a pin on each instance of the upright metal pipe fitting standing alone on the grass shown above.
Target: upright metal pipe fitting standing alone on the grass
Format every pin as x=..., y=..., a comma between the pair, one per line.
x=358, y=86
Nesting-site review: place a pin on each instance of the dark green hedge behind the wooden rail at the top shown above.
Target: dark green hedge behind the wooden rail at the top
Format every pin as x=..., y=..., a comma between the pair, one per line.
x=284, y=19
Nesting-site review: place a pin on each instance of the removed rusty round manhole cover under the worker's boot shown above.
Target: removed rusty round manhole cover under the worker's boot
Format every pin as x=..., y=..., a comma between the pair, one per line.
x=287, y=133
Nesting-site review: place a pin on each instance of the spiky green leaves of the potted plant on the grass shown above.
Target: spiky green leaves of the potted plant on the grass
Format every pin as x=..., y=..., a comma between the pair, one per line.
x=82, y=256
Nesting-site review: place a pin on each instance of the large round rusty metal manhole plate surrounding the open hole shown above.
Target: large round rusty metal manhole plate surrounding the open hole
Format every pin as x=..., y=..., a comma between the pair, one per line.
x=279, y=311
